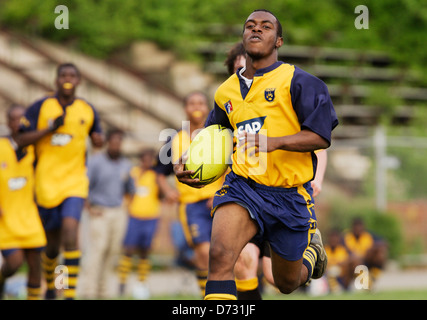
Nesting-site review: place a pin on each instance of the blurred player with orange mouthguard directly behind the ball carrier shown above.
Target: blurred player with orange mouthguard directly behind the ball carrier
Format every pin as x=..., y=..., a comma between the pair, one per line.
x=195, y=204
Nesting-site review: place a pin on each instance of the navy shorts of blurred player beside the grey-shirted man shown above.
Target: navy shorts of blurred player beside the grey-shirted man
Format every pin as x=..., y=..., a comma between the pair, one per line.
x=140, y=232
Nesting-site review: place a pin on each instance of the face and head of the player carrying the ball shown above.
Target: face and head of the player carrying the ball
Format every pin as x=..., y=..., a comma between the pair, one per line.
x=260, y=35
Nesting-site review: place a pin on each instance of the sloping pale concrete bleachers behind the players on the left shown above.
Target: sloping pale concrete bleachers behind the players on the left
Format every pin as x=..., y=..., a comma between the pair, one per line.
x=123, y=99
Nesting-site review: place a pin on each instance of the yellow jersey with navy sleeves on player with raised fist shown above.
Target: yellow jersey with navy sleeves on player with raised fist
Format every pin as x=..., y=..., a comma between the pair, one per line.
x=61, y=155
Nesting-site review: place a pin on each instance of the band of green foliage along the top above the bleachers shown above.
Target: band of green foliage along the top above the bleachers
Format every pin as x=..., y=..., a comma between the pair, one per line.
x=100, y=27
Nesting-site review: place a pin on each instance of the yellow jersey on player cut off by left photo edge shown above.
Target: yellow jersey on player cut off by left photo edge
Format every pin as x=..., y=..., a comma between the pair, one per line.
x=20, y=224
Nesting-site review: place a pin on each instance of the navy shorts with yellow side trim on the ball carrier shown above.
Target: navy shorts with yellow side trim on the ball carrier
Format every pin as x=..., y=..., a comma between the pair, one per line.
x=285, y=216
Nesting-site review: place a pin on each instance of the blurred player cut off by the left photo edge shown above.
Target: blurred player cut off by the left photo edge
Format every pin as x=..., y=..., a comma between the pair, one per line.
x=21, y=232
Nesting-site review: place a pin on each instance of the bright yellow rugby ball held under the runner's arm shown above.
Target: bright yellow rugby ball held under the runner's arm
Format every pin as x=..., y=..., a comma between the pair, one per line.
x=209, y=154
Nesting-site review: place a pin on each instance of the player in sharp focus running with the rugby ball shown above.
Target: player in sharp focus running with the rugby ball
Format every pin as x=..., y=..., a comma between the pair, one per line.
x=280, y=114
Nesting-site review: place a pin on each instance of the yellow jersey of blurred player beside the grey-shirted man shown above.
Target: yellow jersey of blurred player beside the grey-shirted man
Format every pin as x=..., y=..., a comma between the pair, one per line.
x=145, y=203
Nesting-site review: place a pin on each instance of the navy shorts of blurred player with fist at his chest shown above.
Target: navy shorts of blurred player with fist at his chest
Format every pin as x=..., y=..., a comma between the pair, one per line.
x=52, y=217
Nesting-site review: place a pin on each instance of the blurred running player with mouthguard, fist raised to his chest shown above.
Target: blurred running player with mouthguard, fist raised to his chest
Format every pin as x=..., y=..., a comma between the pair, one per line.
x=59, y=126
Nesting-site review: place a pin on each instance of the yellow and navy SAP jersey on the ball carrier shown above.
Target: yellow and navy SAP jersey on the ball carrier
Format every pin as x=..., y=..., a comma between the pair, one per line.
x=281, y=101
